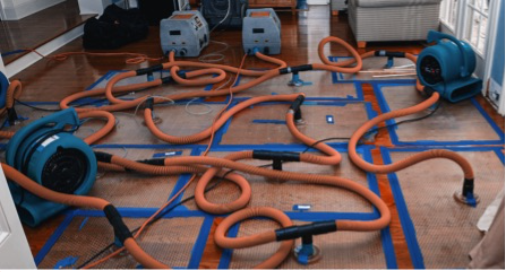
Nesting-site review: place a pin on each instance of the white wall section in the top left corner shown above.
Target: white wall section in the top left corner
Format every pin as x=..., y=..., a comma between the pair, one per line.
x=18, y=9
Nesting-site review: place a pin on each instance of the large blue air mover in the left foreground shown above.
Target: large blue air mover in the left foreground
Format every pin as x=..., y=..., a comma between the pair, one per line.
x=47, y=152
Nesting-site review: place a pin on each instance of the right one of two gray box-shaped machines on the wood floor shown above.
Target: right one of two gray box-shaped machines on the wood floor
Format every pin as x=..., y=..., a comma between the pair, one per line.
x=261, y=32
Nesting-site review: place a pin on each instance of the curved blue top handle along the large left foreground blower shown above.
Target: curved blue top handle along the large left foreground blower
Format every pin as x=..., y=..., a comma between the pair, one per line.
x=60, y=120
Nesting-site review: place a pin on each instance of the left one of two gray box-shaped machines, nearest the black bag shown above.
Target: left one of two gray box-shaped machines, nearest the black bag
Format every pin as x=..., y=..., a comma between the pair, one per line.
x=185, y=32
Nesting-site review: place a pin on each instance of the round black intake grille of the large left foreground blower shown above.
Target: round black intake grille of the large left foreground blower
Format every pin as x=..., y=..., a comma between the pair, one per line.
x=65, y=170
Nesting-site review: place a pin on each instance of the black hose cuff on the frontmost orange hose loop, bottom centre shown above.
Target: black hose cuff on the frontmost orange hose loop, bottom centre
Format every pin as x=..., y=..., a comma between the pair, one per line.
x=315, y=228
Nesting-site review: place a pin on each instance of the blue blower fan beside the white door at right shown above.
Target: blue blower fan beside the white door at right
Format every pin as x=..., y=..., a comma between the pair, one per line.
x=447, y=68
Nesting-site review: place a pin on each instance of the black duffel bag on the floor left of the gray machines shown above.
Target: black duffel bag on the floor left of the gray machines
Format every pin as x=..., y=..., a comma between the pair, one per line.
x=115, y=28
